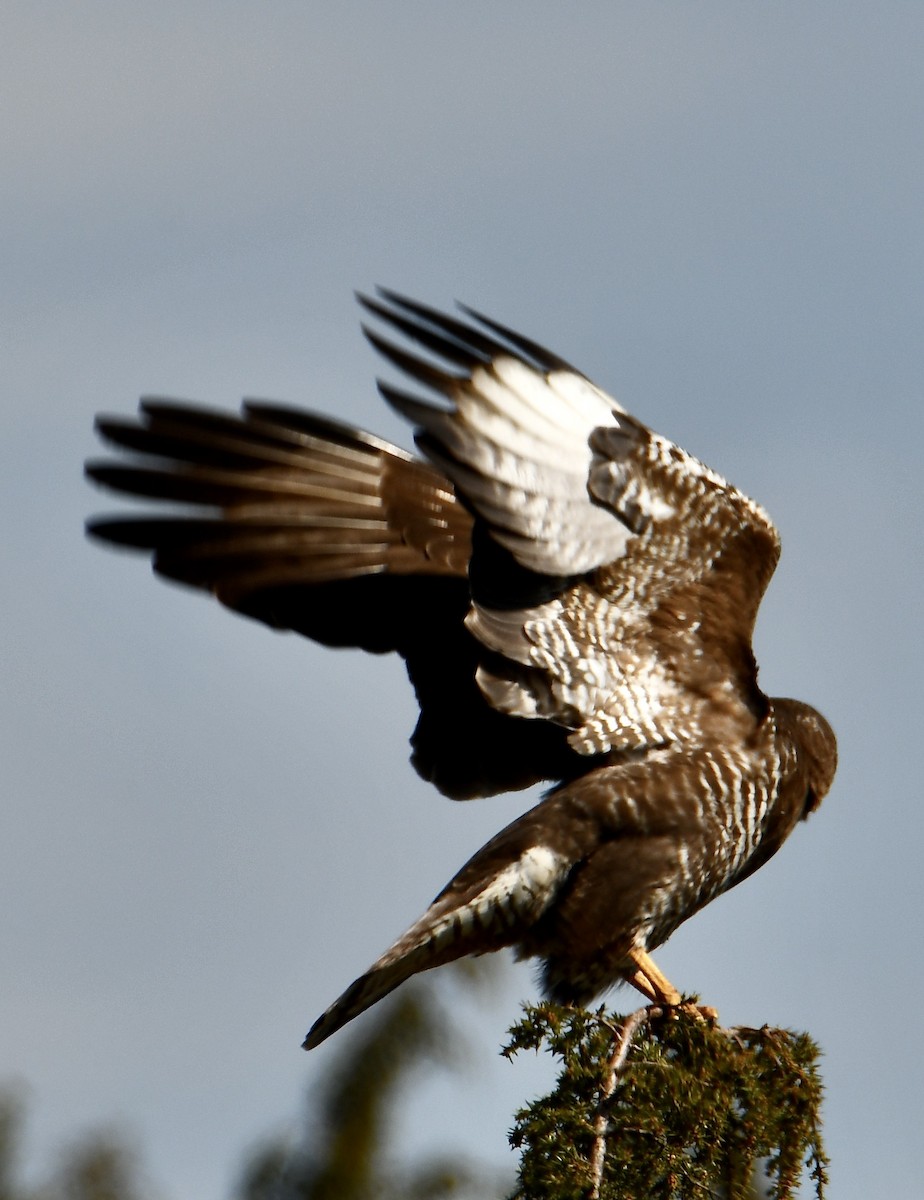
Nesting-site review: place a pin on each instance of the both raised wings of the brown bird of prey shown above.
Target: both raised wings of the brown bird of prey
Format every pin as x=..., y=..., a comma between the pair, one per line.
x=562, y=583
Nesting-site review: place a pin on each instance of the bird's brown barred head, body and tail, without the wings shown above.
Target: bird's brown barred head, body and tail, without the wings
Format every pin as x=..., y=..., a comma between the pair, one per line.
x=613, y=863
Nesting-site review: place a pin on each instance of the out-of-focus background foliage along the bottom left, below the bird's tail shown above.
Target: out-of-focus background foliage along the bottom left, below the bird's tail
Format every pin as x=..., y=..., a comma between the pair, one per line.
x=343, y=1150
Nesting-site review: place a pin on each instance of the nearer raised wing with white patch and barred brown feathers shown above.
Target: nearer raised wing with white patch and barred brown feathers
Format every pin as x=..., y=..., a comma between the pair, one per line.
x=615, y=579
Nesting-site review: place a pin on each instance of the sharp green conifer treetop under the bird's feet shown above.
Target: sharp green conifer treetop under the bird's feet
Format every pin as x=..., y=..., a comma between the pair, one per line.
x=668, y=1108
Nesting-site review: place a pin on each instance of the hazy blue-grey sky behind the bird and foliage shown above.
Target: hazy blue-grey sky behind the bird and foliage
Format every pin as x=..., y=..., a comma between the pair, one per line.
x=715, y=211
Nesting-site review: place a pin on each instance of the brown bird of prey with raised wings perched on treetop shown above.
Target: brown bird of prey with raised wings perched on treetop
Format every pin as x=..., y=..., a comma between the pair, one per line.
x=574, y=598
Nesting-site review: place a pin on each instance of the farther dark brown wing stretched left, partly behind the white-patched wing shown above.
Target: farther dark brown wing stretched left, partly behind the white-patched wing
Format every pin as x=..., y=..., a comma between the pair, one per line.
x=309, y=525
